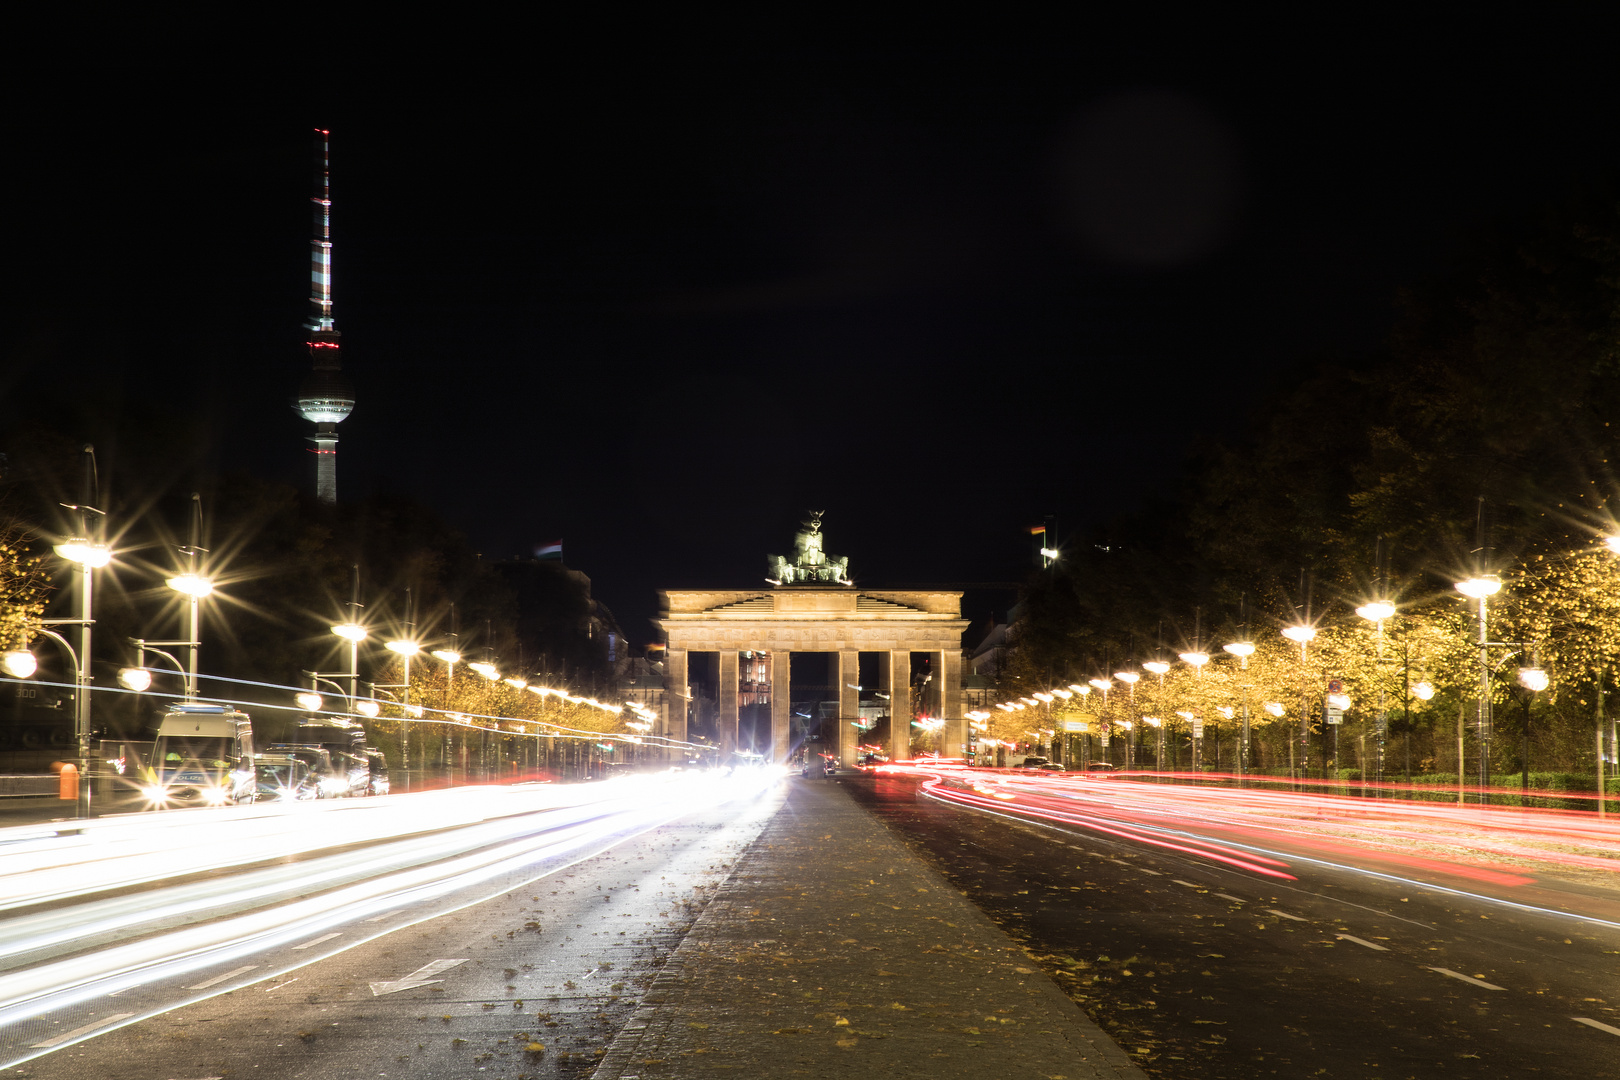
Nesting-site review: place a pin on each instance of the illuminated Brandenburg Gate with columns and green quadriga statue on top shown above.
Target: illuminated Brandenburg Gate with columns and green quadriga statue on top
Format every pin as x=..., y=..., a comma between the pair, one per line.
x=811, y=606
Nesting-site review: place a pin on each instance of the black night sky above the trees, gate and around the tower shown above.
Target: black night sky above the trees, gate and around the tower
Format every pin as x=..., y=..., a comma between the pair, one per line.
x=657, y=291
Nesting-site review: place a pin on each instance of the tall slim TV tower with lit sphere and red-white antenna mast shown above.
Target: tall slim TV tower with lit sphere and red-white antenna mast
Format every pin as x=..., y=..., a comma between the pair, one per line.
x=325, y=398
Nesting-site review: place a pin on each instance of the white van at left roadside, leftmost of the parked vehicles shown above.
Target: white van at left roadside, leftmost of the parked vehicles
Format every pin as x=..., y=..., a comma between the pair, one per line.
x=203, y=757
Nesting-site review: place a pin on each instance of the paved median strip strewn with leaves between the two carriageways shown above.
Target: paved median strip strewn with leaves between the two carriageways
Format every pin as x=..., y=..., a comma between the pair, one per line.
x=833, y=951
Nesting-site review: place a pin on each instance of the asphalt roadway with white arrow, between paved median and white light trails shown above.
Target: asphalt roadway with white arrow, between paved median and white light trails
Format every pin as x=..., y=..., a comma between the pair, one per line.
x=531, y=974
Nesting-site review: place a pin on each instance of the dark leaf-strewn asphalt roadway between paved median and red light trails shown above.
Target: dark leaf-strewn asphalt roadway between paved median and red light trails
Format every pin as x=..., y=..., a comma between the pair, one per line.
x=1203, y=971
